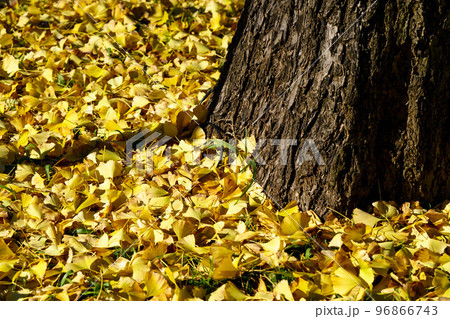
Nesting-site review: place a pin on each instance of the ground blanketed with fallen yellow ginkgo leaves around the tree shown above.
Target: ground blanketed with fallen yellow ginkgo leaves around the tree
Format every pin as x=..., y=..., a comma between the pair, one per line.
x=81, y=219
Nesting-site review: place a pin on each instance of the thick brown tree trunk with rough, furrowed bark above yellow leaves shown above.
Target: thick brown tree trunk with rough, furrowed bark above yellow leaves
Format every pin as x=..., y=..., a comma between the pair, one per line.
x=366, y=82
